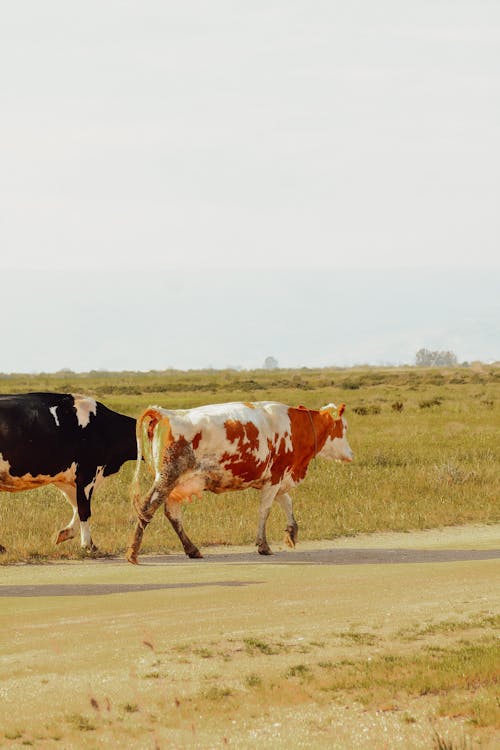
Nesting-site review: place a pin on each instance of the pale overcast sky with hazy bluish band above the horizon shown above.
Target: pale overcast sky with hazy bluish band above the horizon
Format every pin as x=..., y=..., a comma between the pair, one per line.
x=209, y=183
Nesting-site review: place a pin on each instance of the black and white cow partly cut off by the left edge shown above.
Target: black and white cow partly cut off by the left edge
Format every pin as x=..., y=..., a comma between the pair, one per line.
x=67, y=440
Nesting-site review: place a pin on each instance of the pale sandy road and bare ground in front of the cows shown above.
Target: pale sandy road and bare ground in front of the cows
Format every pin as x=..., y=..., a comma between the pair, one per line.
x=104, y=633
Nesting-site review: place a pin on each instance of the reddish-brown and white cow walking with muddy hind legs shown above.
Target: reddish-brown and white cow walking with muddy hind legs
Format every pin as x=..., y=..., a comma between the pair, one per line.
x=225, y=447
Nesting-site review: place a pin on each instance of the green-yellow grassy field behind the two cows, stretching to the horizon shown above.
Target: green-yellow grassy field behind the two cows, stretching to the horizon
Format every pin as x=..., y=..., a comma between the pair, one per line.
x=426, y=446
